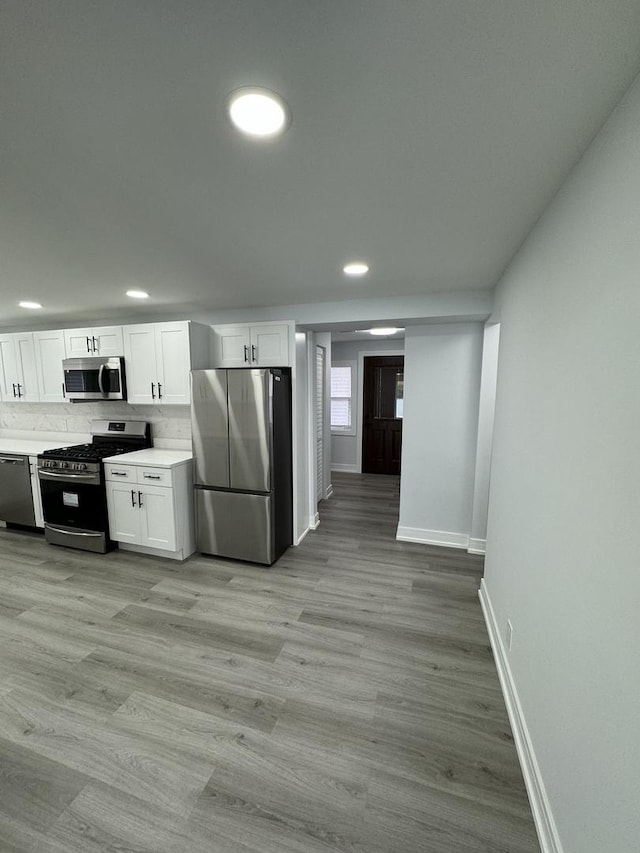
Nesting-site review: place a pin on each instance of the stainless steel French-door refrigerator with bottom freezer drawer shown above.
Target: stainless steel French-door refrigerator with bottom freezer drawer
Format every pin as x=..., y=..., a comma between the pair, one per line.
x=241, y=428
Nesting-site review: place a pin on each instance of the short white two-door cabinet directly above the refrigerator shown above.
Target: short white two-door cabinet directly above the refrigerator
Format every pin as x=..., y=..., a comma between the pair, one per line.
x=258, y=345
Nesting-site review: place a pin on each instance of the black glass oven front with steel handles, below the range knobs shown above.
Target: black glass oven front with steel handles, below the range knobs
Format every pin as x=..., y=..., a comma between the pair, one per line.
x=75, y=509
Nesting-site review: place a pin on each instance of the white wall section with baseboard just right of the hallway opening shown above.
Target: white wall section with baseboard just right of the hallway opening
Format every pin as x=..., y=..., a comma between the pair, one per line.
x=441, y=391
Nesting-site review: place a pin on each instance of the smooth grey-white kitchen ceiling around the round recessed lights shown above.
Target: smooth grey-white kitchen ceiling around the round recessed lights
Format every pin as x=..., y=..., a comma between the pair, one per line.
x=426, y=137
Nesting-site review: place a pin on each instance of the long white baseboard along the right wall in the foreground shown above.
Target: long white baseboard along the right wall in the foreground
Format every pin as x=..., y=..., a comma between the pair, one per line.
x=540, y=806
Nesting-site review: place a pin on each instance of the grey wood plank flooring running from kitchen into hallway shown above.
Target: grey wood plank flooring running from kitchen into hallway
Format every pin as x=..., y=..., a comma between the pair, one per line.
x=343, y=701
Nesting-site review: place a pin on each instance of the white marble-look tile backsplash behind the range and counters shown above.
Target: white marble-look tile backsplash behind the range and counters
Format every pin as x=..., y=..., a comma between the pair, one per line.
x=170, y=425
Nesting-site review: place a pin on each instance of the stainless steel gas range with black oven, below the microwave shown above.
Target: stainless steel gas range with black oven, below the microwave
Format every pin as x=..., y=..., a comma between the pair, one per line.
x=74, y=497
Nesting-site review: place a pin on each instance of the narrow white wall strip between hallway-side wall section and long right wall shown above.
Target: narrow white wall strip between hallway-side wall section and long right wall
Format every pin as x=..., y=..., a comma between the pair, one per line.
x=488, y=380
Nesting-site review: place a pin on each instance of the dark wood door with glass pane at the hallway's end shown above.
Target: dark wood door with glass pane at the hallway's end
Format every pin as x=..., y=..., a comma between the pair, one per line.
x=382, y=414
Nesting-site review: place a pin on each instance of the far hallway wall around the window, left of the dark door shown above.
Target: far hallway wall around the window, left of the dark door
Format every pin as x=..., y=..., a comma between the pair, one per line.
x=346, y=450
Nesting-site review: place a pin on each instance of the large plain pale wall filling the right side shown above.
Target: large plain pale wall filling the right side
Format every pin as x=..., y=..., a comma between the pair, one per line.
x=562, y=546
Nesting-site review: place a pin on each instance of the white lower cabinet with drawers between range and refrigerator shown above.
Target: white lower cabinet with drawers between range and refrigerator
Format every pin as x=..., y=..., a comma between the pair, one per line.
x=151, y=509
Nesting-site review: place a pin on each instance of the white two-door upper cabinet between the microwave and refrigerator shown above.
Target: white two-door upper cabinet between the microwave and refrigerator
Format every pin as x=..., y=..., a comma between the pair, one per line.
x=157, y=363
